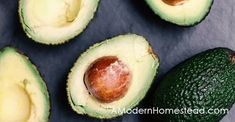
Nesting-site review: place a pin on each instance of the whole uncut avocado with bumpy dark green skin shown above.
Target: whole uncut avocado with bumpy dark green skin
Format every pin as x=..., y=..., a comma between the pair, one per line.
x=203, y=83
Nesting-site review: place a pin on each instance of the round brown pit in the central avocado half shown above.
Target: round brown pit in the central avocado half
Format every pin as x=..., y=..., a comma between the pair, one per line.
x=108, y=79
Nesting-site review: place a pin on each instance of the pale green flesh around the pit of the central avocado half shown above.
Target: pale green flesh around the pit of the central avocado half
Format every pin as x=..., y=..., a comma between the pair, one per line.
x=131, y=49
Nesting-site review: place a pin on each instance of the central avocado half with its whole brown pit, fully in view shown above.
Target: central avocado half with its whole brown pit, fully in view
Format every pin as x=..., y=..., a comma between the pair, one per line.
x=112, y=75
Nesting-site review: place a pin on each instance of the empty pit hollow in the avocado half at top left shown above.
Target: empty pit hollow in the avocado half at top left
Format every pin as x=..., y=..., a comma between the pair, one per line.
x=55, y=13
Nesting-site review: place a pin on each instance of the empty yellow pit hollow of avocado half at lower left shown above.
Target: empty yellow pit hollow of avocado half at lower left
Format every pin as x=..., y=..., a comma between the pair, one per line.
x=15, y=104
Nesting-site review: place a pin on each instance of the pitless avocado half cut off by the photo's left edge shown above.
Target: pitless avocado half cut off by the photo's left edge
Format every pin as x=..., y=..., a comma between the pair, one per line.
x=23, y=93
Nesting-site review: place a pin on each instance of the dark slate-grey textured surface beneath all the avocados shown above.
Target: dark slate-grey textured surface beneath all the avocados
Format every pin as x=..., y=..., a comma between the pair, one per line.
x=173, y=44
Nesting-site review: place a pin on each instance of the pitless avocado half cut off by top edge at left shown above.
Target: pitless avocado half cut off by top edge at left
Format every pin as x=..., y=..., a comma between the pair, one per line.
x=55, y=21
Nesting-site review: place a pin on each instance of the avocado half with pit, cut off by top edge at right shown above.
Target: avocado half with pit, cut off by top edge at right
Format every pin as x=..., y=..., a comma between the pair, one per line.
x=181, y=12
